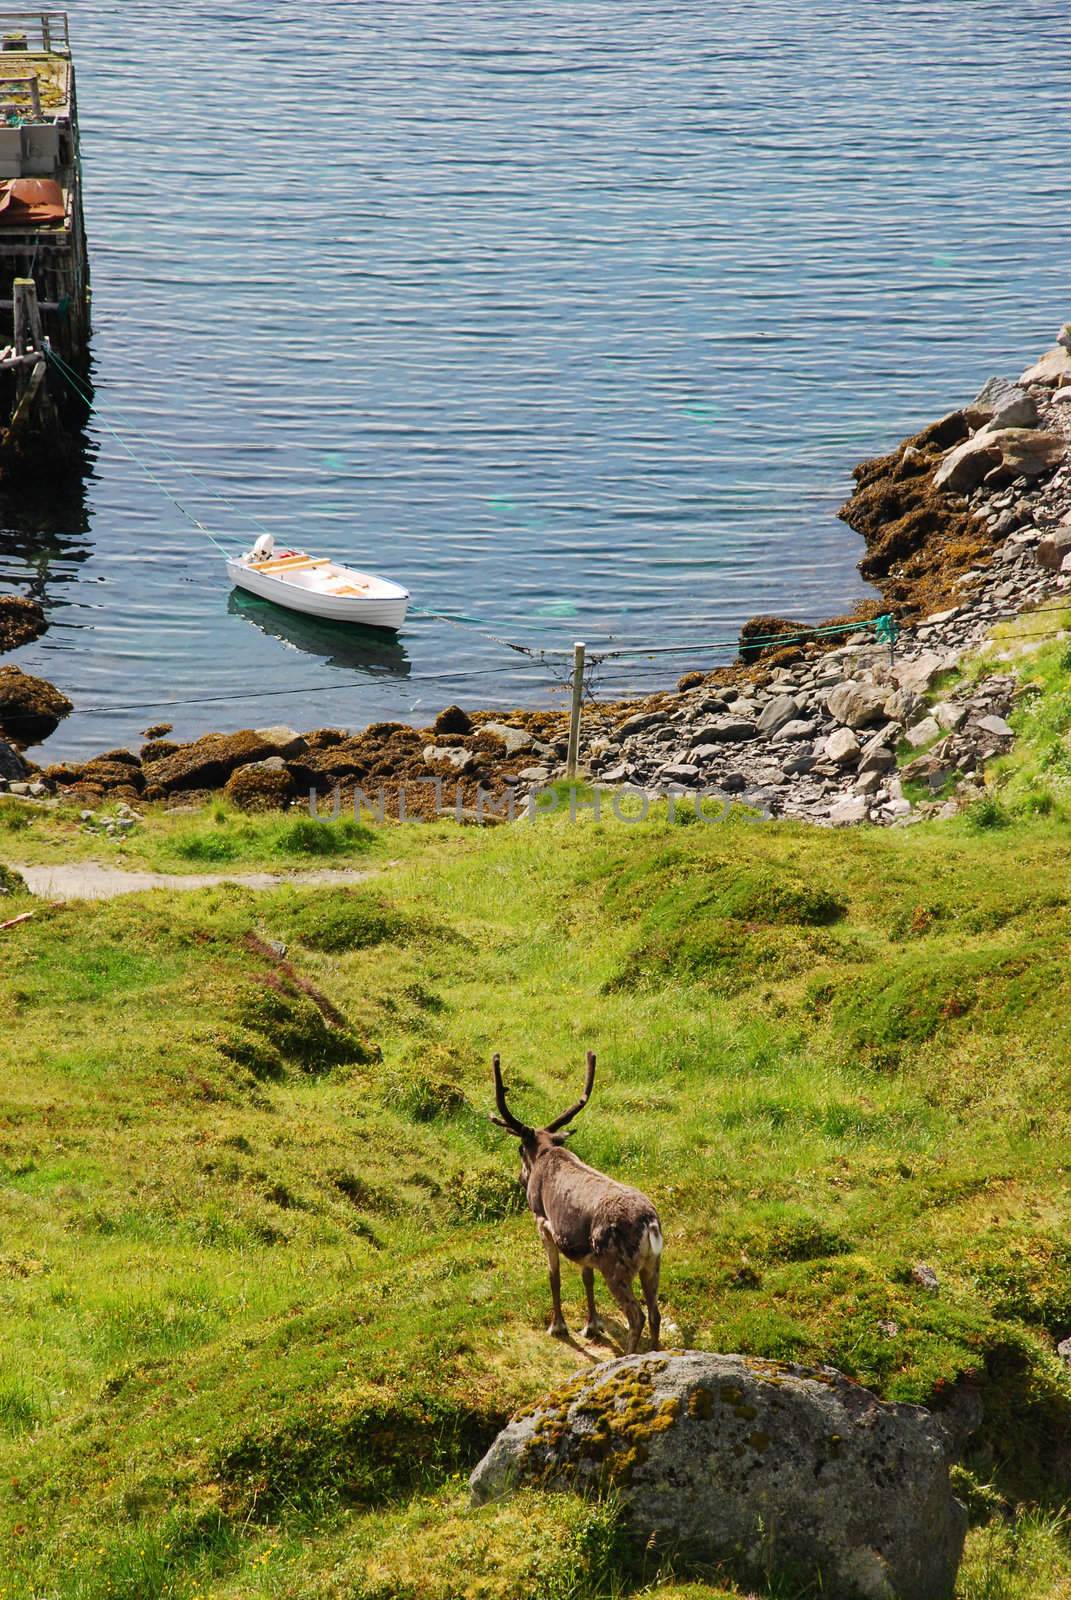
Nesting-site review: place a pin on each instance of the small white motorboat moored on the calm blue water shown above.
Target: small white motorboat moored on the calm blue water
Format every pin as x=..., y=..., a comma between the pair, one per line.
x=319, y=586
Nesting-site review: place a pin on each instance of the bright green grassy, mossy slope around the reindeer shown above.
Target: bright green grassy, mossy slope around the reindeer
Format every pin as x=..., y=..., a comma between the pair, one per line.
x=265, y=1284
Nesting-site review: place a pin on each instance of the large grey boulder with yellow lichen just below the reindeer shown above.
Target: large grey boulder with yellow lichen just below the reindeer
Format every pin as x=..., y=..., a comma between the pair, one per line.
x=758, y=1466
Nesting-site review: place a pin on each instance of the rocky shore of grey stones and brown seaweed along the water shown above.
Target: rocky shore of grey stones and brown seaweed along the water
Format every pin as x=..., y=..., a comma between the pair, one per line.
x=966, y=524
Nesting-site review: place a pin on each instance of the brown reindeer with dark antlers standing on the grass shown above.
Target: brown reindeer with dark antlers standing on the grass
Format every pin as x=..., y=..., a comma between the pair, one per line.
x=588, y=1218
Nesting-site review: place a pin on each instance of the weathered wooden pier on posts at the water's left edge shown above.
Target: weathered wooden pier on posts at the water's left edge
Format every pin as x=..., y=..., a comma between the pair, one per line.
x=44, y=263
